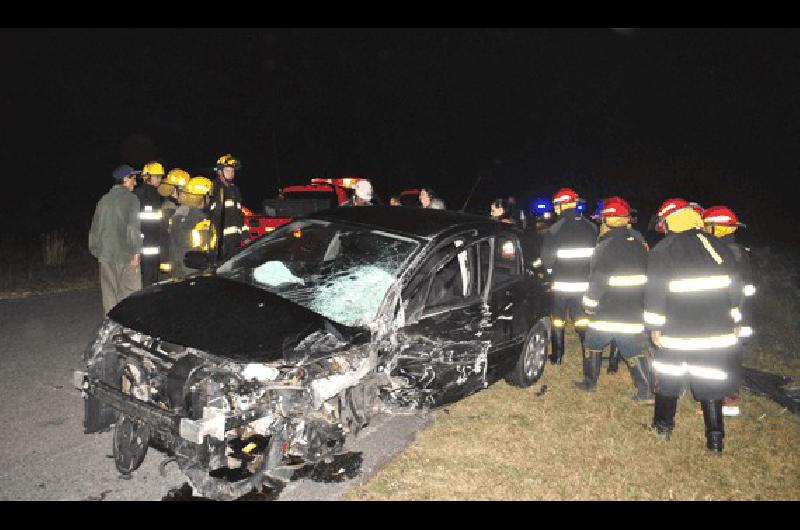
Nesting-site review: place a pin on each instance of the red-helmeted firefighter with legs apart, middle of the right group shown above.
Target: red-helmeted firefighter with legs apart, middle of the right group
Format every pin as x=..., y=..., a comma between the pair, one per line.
x=615, y=298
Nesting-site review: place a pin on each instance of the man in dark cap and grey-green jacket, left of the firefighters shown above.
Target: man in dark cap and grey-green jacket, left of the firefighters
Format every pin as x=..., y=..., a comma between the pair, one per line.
x=115, y=239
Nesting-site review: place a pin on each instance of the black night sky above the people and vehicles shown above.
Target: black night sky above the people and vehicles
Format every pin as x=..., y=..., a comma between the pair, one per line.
x=710, y=115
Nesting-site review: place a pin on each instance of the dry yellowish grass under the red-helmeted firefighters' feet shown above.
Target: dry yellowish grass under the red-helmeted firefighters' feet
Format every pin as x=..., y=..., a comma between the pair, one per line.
x=508, y=443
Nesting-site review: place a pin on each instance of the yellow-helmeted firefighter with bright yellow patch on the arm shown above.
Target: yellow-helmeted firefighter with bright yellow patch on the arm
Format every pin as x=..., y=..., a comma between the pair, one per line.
x=190, y=228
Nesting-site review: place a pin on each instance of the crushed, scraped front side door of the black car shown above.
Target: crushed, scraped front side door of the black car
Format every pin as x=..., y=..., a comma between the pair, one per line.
x=444, y=352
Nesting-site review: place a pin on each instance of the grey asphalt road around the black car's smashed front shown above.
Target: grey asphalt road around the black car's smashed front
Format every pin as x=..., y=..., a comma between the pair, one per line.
x=44, y=454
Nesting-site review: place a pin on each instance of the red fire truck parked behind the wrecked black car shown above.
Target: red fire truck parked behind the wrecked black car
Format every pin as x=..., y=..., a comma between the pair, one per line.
x=296, y=201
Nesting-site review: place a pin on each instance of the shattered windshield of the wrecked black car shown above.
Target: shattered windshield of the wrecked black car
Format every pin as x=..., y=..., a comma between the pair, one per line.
x=337, y=270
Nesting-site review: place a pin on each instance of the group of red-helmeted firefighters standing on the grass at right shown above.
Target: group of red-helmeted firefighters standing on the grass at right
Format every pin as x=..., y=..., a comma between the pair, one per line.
x=678, y=314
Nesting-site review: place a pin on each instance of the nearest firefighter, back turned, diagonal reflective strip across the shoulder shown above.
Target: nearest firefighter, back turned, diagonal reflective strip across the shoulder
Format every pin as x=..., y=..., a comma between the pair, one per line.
x=691, y=311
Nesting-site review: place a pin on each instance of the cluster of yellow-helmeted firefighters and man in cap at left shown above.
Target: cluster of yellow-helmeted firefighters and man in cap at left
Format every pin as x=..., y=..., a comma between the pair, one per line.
x=138, y=236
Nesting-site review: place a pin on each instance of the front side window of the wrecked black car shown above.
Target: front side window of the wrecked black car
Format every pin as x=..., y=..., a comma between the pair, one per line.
x=457, y=280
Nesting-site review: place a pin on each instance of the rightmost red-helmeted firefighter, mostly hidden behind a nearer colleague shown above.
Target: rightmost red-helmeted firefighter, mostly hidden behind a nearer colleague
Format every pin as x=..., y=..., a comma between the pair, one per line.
x=721, y=222
